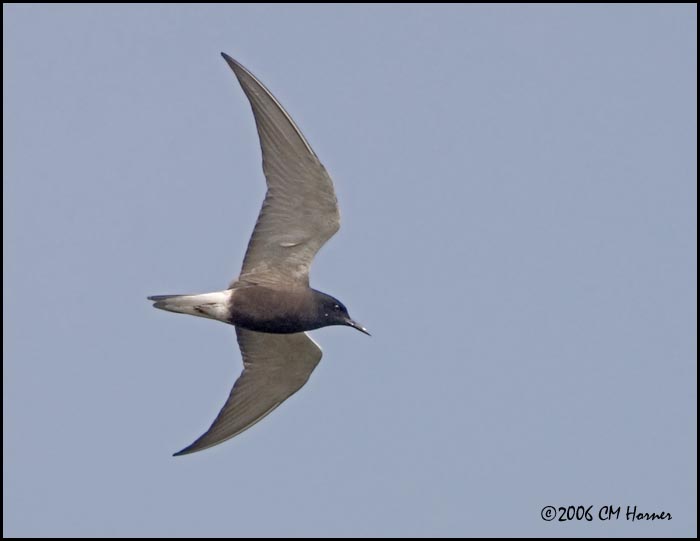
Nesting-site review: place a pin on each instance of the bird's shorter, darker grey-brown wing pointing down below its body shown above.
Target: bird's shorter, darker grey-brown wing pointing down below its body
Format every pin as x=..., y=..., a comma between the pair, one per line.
x=275, y=367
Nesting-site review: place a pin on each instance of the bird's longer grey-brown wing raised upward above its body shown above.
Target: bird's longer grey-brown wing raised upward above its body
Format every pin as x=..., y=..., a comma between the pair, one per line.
x=300, y=211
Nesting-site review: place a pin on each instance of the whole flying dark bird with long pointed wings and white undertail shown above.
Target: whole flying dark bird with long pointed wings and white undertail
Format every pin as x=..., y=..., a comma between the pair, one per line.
x=271, y=304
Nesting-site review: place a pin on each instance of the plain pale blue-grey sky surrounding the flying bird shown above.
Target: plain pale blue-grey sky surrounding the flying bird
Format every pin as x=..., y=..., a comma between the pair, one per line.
x=518, y=195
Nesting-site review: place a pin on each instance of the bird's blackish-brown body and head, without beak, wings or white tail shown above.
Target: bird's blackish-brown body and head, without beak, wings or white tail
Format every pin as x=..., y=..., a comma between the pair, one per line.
x=265, y=309
